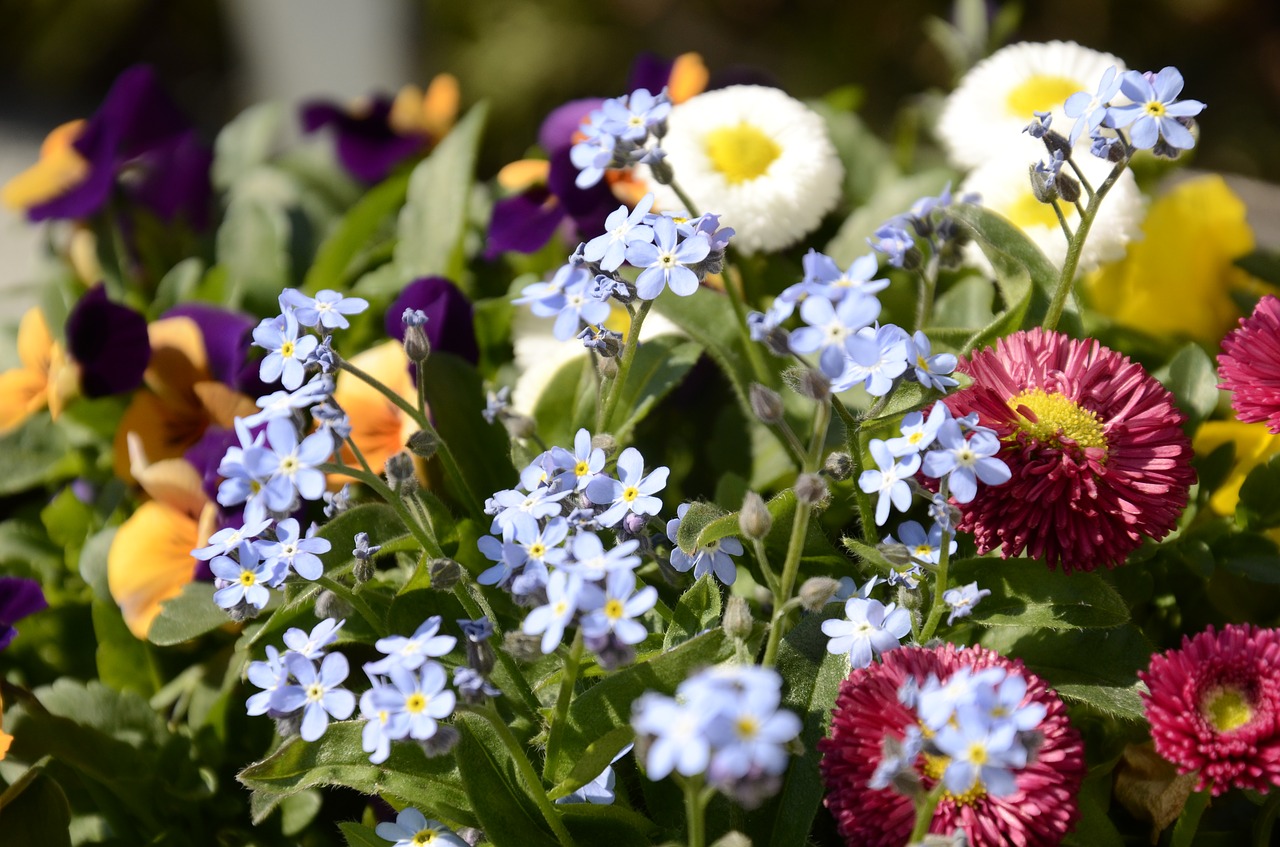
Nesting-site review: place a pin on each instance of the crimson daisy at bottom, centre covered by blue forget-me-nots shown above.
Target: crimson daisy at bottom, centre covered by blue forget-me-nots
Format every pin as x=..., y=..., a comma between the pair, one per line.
x=1039, y=814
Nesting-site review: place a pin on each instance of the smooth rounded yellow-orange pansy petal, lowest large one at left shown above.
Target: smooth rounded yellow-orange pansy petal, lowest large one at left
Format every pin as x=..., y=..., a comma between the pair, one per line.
x=150, y=562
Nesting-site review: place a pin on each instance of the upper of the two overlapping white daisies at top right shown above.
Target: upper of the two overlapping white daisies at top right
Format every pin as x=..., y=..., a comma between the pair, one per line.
x=986, y=115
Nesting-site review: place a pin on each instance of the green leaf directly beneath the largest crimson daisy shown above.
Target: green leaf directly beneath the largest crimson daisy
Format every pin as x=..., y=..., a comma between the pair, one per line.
x=1025, y=594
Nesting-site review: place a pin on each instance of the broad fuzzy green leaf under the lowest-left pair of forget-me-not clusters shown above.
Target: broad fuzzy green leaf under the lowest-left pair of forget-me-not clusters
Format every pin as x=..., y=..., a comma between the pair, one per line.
x=337, y=759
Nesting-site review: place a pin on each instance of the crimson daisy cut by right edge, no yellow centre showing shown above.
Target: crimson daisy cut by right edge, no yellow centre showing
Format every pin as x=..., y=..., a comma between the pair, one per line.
x=1250, y=365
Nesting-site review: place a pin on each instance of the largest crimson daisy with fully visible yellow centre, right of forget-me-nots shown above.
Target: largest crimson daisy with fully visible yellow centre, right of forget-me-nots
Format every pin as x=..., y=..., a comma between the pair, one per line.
x=1095, y=445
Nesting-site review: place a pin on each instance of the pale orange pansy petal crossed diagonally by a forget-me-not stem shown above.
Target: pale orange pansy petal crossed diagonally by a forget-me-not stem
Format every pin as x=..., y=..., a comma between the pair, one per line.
x=378, y=427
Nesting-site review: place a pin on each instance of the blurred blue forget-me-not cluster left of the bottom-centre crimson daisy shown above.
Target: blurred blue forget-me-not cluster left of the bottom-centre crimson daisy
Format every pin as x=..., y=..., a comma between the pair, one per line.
x=724, y=722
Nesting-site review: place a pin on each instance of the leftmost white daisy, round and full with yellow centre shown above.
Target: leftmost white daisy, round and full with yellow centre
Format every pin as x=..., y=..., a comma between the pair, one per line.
x=756, y=157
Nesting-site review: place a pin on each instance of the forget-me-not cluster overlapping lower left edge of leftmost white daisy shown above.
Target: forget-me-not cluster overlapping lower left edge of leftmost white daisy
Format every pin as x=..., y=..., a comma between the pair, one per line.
x=670, y=251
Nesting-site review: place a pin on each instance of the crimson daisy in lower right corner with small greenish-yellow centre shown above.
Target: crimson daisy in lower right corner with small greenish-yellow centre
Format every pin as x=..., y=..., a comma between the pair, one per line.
x=1214, y=707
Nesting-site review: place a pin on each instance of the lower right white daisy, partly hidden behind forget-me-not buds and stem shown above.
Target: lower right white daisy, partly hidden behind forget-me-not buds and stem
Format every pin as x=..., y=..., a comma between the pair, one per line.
x=1007, y=190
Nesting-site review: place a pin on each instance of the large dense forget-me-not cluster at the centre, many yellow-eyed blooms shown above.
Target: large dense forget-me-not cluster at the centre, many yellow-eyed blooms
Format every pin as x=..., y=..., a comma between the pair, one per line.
x=547, y=551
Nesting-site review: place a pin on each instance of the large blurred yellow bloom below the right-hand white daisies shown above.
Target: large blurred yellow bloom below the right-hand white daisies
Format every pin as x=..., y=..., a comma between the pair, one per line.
x=1178, y=280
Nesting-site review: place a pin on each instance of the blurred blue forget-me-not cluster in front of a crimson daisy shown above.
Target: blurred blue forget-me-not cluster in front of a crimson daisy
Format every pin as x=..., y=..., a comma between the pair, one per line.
x=976, y=722
